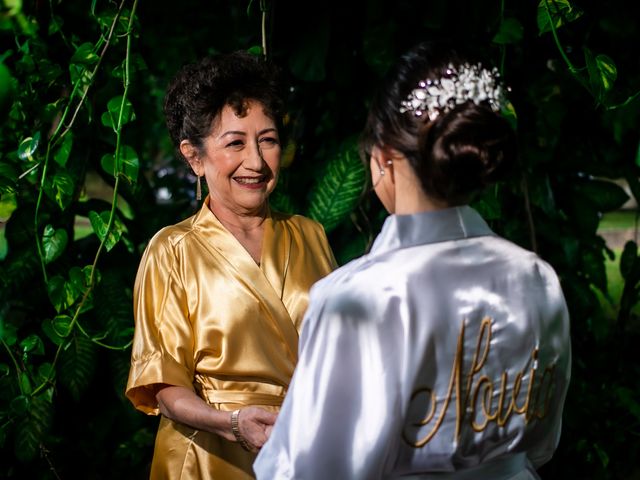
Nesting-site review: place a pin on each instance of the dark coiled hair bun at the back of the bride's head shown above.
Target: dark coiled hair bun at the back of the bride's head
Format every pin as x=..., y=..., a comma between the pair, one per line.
x=464, y=151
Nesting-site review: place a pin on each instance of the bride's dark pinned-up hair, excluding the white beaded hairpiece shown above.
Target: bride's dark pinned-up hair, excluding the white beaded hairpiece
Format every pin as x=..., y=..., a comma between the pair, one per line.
x=457, y=154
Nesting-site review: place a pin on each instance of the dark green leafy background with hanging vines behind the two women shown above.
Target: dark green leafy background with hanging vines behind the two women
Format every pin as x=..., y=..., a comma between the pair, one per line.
x=81, y=86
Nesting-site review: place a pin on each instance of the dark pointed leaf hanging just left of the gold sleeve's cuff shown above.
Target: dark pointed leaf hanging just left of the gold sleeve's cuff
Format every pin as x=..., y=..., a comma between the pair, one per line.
x=77, y=365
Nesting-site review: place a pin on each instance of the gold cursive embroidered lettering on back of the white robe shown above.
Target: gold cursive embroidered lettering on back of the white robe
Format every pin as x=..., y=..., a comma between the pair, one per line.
x=476, y=403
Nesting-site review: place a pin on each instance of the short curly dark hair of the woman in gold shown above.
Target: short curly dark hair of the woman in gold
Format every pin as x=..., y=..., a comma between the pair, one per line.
x=199, y=92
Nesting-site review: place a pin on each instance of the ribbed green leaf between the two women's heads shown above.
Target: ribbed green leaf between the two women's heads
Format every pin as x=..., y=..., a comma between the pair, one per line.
x=338, y=190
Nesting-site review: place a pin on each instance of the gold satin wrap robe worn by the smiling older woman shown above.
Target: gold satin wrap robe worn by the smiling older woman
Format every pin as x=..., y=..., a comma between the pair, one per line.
x=210, y=319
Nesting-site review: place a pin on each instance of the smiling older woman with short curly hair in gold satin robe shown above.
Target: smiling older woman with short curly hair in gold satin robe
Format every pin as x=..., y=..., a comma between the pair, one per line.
x=219, y=297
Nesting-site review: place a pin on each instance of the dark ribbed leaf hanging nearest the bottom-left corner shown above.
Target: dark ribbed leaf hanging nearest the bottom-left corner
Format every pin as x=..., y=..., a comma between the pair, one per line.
x=32, y=429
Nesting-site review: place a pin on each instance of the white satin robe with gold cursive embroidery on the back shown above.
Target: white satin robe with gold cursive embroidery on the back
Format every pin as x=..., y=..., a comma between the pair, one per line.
x=444, y=353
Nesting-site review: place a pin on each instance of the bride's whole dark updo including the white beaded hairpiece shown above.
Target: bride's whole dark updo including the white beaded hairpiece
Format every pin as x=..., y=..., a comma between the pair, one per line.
x=442, y=111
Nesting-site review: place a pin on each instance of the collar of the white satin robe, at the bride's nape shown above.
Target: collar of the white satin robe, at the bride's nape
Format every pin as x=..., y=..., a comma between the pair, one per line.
x=403, y=231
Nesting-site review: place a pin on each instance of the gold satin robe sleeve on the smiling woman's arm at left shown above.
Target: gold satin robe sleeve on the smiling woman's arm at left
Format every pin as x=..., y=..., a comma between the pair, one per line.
x=162, y=352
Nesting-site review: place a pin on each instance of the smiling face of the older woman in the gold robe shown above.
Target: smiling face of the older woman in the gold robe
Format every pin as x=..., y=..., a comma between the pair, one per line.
x=240, y=160
